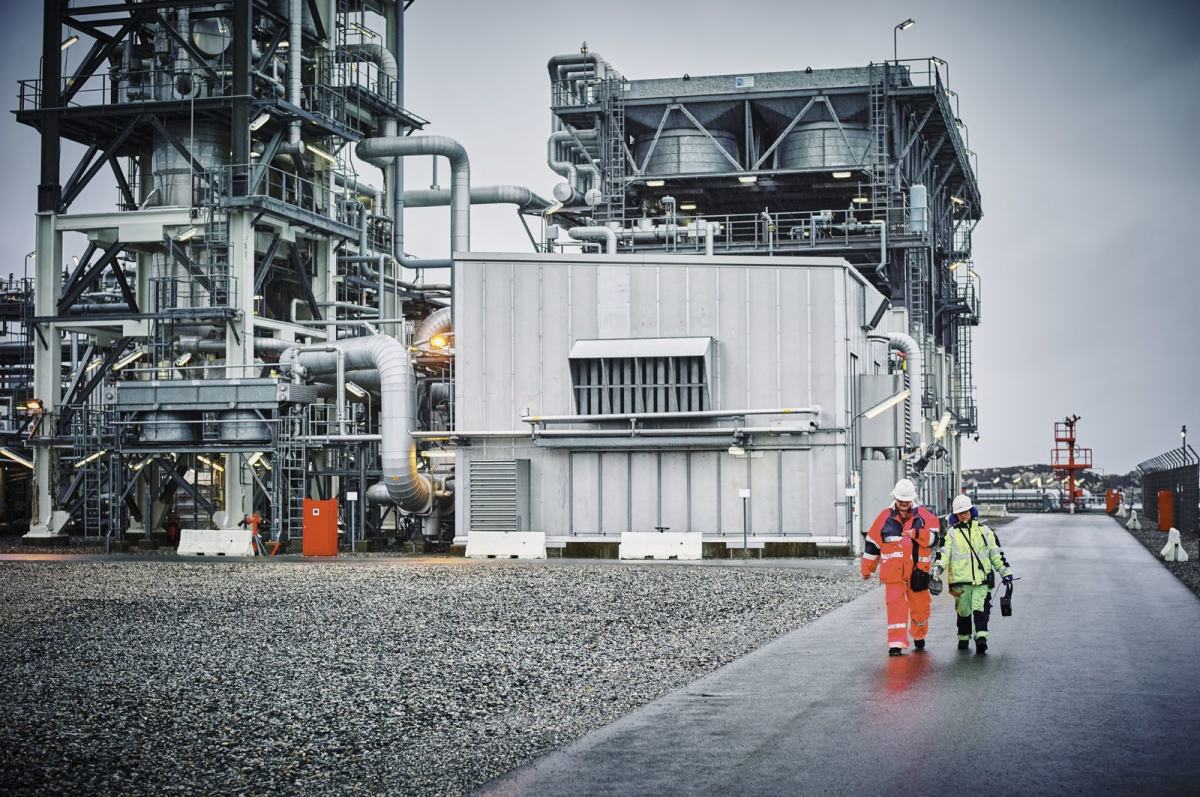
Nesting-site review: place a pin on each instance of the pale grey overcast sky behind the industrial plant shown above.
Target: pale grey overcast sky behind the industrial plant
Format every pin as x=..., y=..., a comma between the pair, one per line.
x=1084, y=115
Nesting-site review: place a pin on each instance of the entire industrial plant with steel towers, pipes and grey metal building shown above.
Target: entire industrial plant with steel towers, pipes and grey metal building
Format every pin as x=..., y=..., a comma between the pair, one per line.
x=746, y=311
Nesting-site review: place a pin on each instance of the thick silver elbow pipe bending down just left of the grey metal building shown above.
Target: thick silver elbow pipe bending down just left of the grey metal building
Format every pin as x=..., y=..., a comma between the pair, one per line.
x=407, y=488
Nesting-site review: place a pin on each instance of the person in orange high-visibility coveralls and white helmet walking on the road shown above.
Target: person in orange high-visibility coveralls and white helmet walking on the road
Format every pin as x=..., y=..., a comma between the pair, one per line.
x=903, y=538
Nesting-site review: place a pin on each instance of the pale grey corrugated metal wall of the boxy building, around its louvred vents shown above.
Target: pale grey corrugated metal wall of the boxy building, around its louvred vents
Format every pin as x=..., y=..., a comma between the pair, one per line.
x=784, y=328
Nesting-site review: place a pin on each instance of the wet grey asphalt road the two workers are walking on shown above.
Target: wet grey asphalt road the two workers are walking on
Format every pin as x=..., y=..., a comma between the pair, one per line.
x=1093, y=684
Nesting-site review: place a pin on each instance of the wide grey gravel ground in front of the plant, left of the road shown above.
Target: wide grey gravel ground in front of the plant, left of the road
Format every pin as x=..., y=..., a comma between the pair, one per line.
x=356, y=676
